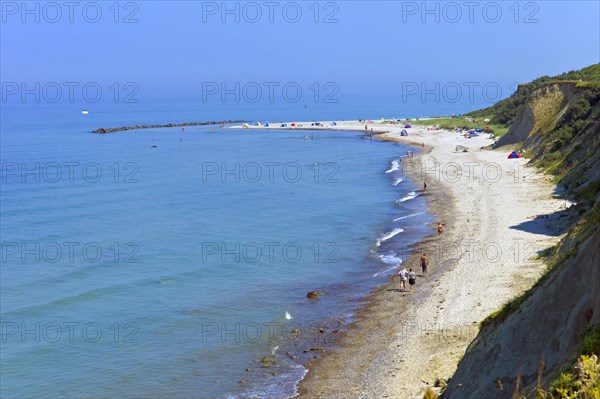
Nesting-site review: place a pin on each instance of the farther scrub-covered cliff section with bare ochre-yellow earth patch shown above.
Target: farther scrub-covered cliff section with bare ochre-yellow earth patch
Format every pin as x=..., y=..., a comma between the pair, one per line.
x=559, y=127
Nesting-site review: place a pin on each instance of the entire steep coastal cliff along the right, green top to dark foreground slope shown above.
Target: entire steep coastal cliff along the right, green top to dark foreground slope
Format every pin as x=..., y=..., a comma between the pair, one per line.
x=557, y=123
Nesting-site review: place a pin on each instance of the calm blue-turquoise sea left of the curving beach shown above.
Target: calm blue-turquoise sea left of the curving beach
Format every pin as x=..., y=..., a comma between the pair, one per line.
x=162, y=263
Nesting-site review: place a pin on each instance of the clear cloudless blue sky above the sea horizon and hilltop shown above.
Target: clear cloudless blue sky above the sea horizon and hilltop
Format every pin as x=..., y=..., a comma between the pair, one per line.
x=369, y=47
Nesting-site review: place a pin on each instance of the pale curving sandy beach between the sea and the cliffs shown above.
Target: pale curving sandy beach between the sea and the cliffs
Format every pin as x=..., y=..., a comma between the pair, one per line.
x=401, y=342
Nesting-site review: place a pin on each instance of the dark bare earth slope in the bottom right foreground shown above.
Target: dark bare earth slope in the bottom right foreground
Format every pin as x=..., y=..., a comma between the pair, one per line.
x=547, y=327
